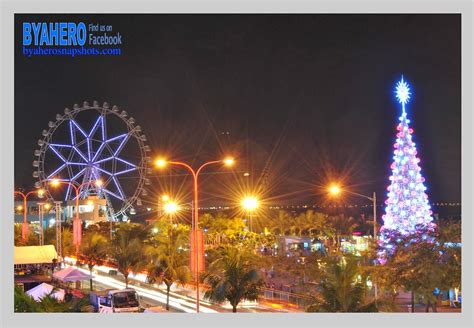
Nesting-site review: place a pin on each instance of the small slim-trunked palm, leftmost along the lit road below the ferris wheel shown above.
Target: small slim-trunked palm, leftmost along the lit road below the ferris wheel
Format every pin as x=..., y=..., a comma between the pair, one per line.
x=93, y=251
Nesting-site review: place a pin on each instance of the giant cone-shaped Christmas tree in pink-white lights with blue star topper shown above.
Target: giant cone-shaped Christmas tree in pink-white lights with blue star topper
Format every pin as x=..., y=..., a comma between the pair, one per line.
x=407, y=208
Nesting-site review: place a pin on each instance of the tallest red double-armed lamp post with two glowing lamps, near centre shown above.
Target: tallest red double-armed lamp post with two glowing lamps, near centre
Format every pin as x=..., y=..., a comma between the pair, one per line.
x=161, y=163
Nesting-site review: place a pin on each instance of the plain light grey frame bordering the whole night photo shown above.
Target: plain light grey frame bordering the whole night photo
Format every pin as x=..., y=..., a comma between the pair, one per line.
x=9, y=7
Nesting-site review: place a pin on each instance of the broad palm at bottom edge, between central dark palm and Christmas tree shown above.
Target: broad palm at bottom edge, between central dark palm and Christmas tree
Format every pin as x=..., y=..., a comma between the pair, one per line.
x=341, y=290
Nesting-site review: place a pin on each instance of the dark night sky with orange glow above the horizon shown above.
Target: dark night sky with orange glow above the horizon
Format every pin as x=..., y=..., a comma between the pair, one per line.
x=308, y=96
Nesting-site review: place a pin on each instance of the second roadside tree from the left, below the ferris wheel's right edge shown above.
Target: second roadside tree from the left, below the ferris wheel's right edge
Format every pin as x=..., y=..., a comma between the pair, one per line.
x=126, y=250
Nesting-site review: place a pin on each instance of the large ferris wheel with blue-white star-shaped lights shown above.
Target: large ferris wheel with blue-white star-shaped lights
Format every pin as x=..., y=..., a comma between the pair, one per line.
x=88, y=143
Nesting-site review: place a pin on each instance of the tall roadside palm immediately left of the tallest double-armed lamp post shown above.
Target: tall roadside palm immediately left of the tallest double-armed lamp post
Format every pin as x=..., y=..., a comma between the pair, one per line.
x=169, y=260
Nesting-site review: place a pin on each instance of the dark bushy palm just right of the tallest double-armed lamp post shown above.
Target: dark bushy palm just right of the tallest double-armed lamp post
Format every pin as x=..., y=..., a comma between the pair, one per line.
x=232, y=277
